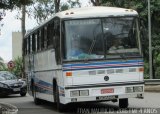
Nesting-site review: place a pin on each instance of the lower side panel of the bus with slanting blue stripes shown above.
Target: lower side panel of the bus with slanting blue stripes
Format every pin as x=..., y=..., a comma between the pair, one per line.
x=44, y=73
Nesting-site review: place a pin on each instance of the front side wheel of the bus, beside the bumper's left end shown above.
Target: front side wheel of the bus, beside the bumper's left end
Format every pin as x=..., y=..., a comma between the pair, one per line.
x=60, y=107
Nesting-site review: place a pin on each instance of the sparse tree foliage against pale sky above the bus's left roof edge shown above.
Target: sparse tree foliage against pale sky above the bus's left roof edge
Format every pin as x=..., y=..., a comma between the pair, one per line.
x=44, y=9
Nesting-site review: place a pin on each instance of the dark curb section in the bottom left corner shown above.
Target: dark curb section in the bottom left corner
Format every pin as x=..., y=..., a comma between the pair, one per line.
x=6, y=108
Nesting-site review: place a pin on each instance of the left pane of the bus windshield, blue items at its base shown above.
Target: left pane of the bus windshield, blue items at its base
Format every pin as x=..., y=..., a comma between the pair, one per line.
x=83, y=39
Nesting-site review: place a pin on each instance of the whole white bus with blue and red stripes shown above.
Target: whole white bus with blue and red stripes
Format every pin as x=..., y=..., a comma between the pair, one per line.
x=85, y=54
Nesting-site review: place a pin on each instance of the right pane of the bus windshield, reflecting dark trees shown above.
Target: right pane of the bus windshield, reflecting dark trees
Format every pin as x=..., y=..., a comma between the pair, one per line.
x=121, y=36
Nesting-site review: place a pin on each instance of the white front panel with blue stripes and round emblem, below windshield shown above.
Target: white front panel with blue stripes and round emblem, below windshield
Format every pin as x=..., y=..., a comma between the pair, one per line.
x=87, y=73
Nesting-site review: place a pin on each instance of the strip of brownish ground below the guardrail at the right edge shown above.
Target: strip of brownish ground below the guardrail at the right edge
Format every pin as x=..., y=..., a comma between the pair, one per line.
x=152, y=88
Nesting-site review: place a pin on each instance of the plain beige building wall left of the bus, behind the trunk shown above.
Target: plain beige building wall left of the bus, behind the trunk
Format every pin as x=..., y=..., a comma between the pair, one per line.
x=16, y=45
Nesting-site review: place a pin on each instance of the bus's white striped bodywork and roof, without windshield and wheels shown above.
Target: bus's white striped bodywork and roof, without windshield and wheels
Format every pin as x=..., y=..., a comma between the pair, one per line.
x=104, y=80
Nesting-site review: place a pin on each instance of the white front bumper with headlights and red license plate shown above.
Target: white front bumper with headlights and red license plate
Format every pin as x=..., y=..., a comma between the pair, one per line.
x=109, y=93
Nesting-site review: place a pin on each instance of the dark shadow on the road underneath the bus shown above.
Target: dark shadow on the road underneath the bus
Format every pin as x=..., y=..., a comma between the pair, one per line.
x=74, y=108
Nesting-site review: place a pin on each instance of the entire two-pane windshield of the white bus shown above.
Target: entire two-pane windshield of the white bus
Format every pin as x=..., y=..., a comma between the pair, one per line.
x=112, y=37
